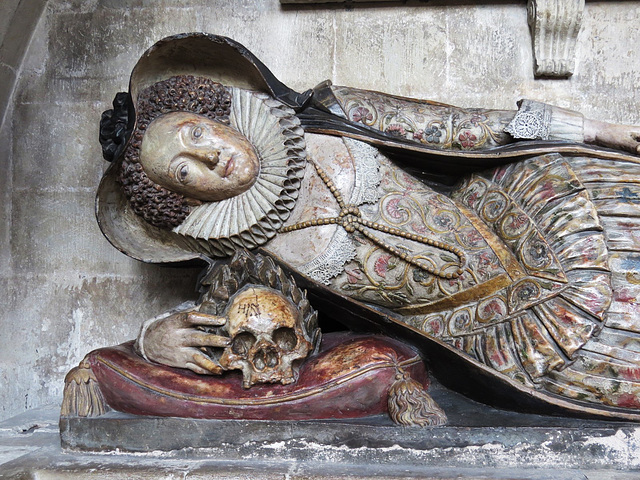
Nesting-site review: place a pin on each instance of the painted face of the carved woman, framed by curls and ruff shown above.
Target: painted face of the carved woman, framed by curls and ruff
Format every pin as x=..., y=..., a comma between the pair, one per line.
x=198, y=157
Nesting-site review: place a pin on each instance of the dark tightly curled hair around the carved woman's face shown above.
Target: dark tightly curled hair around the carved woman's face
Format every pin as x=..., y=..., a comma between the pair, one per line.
x=160, y=206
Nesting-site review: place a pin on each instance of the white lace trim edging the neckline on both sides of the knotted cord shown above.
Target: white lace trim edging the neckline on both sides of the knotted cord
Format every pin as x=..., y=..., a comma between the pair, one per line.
x=341, y=248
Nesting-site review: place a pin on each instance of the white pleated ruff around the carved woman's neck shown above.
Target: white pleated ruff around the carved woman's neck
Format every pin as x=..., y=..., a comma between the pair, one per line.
x=253, y=217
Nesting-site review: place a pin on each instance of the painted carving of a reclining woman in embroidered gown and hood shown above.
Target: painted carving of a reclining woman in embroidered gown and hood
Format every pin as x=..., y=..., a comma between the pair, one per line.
x=502, y=242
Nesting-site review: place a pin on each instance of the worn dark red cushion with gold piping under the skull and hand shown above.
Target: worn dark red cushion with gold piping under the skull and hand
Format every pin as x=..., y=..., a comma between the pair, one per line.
x=348, y=378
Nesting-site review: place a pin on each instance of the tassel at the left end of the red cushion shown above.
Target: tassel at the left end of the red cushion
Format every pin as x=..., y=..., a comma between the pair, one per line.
x=82, y=396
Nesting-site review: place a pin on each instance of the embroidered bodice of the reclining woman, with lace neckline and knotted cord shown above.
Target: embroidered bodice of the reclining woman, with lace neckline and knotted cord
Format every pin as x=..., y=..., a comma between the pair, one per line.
x=413, y=244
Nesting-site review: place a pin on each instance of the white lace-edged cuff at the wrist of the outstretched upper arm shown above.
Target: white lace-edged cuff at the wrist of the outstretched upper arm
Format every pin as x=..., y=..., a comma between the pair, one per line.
x=540, y=121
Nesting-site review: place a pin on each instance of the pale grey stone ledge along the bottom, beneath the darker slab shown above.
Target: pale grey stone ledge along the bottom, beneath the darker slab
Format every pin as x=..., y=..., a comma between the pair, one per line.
x=51, y=463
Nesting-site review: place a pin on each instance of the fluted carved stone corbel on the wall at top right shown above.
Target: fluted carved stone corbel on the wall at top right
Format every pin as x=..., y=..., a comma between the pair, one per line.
x=554, y=27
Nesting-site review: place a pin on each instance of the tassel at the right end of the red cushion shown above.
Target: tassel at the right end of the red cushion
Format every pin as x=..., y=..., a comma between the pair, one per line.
x=409, y=404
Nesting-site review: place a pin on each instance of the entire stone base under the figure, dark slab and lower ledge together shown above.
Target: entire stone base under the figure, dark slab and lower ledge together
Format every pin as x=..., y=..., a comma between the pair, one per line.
x=479, y=443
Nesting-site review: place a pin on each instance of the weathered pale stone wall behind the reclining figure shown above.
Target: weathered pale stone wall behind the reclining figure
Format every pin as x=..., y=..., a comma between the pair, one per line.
x=64, y=289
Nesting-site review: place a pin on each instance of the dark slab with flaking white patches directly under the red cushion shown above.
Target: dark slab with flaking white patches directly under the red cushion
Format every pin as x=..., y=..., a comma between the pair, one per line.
x=373, y=441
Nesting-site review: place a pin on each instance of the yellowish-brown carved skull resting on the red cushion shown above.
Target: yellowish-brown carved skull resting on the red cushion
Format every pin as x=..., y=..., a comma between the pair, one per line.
x=267, y=336
